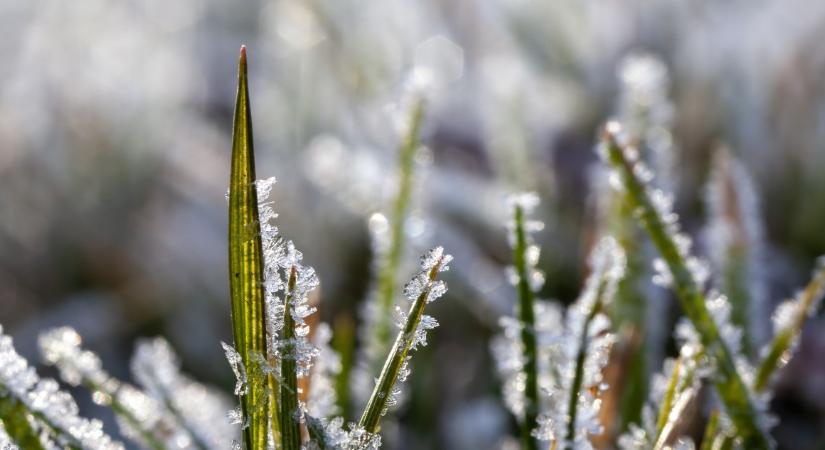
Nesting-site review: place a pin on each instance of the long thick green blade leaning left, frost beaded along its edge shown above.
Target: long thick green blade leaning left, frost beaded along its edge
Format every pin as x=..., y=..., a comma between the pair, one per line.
x=729, y=384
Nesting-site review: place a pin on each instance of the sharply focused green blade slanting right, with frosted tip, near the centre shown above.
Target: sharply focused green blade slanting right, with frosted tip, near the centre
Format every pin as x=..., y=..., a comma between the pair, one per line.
x=397, y=357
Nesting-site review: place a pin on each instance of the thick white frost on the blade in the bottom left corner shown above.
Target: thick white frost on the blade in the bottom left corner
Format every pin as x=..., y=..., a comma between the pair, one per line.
x=52, y=408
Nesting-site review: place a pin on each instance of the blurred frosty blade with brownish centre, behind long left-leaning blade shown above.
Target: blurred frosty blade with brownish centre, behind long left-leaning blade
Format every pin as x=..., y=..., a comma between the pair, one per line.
x=734, y=237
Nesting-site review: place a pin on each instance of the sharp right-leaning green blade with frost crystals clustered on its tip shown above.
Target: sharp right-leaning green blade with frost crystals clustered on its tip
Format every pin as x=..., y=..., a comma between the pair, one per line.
x=408, y=337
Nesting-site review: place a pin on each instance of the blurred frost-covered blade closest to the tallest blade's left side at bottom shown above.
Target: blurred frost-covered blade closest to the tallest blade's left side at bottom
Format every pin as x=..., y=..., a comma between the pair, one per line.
x=199, y=409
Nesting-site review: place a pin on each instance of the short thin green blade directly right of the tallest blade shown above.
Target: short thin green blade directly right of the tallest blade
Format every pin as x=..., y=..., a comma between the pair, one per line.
x=290, y=428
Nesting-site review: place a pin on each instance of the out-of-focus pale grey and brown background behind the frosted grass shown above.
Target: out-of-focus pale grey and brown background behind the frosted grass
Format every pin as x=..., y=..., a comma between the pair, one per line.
x=115, y=129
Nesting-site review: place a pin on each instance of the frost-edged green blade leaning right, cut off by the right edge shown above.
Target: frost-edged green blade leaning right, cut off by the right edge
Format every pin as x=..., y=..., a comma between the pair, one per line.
x=799, y=310
